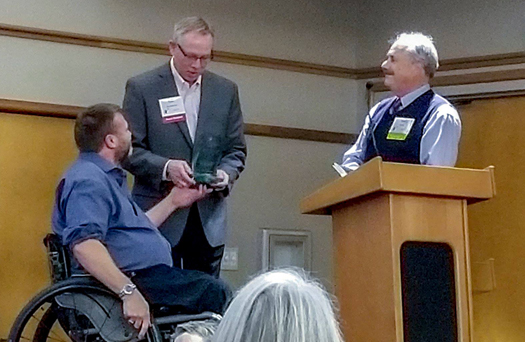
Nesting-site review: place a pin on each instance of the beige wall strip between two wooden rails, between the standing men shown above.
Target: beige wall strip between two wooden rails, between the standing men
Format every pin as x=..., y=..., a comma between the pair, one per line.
x=291, y=99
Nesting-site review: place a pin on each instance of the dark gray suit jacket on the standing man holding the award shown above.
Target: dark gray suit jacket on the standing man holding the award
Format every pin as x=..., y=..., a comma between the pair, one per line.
x=155, y=142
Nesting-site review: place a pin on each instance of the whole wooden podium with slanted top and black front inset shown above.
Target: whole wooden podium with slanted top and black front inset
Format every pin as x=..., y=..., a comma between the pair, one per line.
x=401, y=249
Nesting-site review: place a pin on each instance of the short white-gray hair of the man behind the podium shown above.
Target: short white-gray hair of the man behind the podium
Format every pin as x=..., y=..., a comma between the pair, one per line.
x=422, y=49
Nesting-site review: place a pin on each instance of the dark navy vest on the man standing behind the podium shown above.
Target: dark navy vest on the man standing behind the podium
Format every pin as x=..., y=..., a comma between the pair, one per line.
x=401, y=151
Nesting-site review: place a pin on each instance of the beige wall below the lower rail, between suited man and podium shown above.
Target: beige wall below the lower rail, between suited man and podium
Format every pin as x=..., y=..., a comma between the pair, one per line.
x=279, y=173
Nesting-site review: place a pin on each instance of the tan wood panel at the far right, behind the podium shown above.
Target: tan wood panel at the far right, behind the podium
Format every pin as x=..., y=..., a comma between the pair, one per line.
x=493, y=134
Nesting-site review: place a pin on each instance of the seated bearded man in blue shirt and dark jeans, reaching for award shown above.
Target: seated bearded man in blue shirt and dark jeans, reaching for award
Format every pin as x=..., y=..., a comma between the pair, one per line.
x=112, y=239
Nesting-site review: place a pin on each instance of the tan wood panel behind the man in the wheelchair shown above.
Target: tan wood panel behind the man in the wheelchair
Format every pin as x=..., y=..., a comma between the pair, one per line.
x=34, y=152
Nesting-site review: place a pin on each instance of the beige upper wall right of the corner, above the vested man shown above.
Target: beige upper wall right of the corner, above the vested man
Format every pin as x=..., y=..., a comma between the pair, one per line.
x=460, y=28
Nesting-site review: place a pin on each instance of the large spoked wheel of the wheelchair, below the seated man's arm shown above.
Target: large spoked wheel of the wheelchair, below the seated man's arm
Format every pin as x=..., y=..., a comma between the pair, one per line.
x=75, y=310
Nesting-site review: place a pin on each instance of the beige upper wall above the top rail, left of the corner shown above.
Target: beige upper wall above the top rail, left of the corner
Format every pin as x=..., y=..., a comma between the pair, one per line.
x=313, y=31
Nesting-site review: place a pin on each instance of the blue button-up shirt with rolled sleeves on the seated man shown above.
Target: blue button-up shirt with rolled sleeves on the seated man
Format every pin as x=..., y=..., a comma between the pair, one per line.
x=93, y=202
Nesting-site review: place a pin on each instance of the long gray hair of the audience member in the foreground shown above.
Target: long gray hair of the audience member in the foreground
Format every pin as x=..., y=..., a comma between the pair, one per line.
x=280, y=306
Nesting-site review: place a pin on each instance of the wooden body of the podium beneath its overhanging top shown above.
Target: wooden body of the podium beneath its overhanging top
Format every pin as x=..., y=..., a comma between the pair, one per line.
x=368, y=237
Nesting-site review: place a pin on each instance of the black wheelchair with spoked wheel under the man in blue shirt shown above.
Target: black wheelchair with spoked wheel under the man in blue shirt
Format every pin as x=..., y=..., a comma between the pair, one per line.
x=81, y=309
